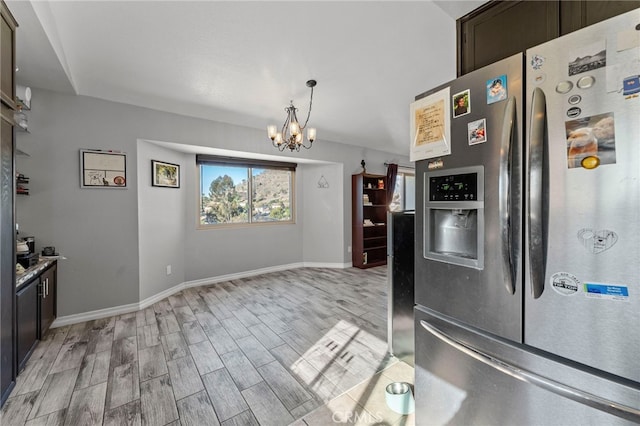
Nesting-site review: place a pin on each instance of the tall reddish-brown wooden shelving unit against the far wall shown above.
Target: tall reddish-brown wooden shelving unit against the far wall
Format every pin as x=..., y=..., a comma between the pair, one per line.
x=369, y=220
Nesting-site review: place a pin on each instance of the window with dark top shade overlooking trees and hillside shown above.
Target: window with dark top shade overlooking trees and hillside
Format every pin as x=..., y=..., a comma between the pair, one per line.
x=236, y=191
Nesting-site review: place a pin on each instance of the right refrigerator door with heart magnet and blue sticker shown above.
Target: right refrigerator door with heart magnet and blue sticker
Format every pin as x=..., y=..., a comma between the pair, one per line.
x=582, y=283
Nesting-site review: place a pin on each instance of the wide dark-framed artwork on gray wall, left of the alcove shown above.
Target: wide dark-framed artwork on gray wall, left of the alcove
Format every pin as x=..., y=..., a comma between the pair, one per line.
x=103, y=169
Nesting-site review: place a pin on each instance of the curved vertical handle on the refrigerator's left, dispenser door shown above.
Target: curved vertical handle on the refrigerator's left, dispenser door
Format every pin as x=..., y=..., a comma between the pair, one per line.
x=504, y=203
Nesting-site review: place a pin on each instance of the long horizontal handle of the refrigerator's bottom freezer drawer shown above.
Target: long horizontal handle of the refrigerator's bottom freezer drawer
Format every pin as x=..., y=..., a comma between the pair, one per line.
x=558, y=388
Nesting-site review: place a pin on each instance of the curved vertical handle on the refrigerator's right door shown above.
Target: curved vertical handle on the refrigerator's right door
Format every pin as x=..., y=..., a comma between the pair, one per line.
x=537, y=202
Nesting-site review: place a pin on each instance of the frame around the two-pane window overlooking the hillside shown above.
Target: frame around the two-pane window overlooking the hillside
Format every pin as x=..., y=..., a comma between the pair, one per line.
x=249, y=164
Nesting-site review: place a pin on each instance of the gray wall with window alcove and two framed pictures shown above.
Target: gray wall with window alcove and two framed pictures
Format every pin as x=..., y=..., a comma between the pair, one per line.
x=119, y=241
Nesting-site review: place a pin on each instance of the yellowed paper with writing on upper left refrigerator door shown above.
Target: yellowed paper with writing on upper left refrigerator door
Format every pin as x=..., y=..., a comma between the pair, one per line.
x=431, y=126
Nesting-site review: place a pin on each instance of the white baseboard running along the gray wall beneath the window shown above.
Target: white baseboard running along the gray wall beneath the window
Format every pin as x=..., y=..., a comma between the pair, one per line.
x=133, y=307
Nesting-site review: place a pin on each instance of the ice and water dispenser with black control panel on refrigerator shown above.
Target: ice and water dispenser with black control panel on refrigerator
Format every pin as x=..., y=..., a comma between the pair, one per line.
x=454, y=216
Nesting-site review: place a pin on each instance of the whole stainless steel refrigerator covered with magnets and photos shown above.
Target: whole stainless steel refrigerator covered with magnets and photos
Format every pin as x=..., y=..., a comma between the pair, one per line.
x=527, y=255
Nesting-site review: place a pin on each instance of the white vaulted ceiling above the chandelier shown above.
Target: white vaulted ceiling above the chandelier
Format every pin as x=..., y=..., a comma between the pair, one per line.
x=241, y=62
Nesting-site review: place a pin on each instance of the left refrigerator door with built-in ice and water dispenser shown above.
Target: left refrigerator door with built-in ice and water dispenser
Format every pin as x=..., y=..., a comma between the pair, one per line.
x=485, y=288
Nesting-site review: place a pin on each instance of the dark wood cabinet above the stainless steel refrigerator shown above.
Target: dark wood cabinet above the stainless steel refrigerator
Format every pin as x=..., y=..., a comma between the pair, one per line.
x=499, y=29
